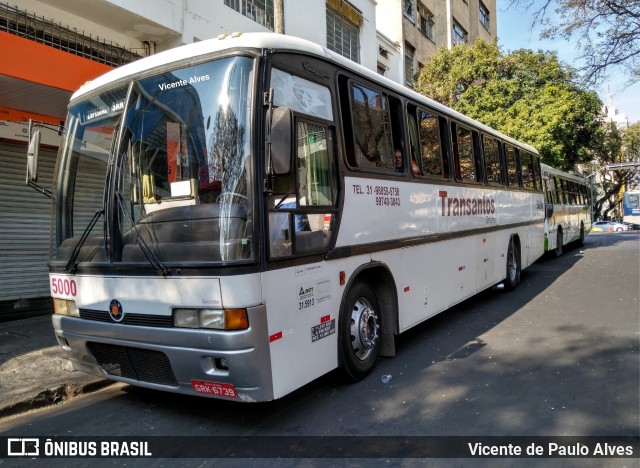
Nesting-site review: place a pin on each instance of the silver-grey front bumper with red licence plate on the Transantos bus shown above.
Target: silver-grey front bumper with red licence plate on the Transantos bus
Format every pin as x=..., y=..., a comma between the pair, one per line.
x=220, y=364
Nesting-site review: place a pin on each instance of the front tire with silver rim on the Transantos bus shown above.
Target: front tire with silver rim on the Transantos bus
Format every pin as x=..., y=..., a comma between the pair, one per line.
x=360, y=337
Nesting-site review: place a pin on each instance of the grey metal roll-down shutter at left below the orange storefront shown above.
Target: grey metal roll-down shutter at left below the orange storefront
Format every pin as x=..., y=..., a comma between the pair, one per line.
x=24, y=225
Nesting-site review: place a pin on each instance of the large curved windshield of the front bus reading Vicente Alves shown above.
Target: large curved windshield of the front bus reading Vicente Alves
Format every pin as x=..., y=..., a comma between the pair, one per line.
x=156, y=171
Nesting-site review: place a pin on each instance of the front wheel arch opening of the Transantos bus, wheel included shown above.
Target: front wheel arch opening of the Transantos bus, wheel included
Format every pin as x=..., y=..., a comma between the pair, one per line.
x=367, y=321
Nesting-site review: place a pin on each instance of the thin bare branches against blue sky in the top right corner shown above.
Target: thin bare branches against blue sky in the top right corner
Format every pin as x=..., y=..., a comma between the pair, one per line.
x=607, y=32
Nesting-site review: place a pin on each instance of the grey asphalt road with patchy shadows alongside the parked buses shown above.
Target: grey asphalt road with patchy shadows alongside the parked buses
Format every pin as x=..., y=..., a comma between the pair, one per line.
x=557, y=357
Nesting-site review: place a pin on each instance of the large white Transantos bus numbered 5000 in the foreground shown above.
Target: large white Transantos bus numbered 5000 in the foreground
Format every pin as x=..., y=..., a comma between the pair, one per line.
x=237, y=217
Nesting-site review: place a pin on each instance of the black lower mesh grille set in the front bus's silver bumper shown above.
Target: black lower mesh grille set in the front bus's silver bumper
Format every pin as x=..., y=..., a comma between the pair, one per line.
x=134, y=363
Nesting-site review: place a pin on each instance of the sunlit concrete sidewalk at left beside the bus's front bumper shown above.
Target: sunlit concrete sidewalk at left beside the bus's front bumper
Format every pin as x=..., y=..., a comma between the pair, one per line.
x=33, y=370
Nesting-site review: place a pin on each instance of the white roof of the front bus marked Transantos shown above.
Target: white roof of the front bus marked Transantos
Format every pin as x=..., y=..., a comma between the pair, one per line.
x=272, y=41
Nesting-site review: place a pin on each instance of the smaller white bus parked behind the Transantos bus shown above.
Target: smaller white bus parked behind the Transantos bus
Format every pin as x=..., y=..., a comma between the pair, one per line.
x=568, y=209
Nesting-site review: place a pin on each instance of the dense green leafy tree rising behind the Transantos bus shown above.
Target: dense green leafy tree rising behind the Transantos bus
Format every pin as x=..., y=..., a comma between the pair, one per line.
x=529, y=96
